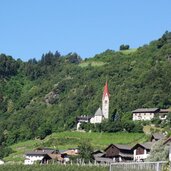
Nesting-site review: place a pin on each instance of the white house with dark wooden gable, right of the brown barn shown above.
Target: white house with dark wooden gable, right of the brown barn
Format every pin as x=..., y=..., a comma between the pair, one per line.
x=141, y=151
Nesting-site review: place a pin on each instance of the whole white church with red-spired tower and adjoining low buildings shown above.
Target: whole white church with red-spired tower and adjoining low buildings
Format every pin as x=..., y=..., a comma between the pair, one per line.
x=100, y=114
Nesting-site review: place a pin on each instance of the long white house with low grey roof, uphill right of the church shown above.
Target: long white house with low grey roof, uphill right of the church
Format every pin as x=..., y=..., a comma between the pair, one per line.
x=145, y=113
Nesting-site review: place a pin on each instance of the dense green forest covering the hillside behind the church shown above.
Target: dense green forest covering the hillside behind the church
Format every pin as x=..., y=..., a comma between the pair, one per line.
x=39, y=97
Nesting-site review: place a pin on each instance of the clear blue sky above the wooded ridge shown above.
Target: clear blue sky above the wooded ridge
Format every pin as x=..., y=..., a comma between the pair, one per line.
x=33, y=27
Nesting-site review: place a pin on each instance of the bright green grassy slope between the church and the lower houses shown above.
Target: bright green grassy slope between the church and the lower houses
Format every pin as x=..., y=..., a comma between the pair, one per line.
x=65, y=140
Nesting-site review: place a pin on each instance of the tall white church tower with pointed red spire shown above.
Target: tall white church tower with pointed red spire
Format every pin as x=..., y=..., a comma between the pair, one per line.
x=105, y=101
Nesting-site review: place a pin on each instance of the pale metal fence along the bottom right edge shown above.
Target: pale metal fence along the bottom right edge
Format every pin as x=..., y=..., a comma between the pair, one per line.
x=140, y=166
